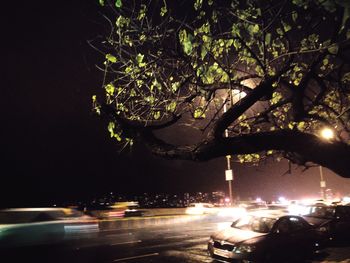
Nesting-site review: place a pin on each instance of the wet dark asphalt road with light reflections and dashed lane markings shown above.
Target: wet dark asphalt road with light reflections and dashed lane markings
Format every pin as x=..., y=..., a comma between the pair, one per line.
x=175, y=243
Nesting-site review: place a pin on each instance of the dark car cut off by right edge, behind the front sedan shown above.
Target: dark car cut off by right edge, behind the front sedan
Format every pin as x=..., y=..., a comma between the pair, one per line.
x=333, y=220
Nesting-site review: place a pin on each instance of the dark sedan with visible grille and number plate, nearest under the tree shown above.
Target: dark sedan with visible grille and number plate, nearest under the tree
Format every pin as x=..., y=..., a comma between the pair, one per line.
x=265, y=237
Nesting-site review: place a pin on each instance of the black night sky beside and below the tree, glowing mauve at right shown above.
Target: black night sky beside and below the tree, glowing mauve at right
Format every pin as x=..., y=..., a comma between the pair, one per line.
x=54, y=149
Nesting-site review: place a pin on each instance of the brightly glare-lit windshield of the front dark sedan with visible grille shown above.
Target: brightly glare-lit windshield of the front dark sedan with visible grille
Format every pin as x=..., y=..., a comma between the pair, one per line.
x=256, y=224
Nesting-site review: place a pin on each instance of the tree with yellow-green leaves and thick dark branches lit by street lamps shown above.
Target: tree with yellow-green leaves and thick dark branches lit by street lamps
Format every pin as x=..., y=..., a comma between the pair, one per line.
x=252, y=78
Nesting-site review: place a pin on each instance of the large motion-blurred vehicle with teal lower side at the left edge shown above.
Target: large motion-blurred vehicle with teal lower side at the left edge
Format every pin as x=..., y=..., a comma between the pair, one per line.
x=38, y=226
